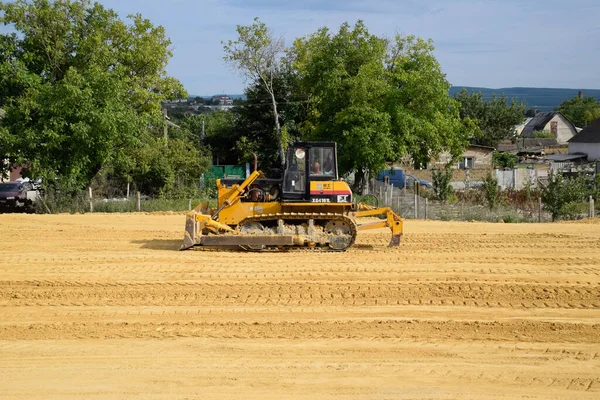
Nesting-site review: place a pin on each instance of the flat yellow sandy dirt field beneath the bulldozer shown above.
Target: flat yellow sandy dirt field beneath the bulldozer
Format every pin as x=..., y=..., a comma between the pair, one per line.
x=104, y=307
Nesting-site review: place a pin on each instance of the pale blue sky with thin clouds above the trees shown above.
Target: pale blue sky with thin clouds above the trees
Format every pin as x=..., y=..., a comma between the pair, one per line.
x=487, y=43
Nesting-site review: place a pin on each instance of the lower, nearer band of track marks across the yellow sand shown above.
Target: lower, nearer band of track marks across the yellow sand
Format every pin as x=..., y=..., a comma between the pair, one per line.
x=531, y=331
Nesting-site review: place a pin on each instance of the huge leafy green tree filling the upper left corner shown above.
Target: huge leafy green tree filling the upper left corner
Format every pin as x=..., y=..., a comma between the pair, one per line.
x=80, y=87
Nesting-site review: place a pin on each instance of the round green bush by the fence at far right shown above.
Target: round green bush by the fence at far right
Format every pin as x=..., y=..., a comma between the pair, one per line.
x=561, y=195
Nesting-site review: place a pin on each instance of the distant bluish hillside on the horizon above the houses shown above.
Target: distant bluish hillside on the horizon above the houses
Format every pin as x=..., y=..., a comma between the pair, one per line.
x=544, y=99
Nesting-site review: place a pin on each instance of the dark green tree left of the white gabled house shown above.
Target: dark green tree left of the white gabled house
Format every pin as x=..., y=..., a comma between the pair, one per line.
x=494, y=120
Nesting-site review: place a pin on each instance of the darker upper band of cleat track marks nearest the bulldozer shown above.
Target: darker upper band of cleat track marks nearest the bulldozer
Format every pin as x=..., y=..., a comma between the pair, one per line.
x=471, y=294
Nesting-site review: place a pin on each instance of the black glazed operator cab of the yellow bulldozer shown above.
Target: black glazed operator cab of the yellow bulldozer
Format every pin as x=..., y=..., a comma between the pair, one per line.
x=308, y=162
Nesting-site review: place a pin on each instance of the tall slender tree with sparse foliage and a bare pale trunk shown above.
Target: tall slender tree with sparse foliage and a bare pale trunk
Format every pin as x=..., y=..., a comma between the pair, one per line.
x=256, y=54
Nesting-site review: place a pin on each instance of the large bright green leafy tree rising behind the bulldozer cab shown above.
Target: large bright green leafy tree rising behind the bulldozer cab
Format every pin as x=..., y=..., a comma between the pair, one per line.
x=379, y=99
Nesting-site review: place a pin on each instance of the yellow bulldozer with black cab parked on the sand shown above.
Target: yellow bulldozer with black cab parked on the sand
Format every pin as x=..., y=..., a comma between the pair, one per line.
x=309, y=207
